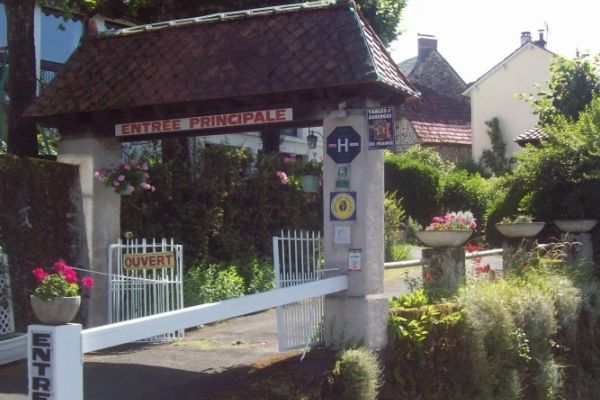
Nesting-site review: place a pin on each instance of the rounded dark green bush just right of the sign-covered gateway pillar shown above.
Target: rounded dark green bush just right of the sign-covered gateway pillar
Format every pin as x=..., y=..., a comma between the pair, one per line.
x=417, y=183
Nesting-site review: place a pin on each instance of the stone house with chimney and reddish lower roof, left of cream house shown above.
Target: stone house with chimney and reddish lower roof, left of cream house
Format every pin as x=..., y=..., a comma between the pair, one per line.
x=440, y=117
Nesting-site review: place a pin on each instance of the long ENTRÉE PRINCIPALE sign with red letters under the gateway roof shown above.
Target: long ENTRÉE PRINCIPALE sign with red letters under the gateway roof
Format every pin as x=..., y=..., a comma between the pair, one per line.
x=204, y=122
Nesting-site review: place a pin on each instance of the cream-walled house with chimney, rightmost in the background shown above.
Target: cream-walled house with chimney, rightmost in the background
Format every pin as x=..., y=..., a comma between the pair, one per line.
x=495, y=94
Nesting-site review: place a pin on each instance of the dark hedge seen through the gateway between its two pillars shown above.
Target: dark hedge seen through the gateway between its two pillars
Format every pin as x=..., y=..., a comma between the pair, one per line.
x=215, y=206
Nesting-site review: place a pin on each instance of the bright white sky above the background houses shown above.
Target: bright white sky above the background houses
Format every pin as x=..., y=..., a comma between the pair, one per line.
x=475, y=35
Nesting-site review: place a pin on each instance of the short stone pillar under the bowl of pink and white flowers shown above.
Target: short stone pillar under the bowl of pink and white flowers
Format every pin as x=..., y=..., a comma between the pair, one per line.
x=443, y=268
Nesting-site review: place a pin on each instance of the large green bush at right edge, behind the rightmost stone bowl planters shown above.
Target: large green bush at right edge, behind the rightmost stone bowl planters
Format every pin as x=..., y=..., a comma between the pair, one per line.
x=562, y=177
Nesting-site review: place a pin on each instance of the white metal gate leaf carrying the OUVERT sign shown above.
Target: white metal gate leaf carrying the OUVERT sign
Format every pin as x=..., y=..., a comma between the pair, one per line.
x=140, y=292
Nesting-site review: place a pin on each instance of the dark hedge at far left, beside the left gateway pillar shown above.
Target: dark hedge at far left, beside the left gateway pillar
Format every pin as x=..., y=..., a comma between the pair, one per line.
x=37, y=221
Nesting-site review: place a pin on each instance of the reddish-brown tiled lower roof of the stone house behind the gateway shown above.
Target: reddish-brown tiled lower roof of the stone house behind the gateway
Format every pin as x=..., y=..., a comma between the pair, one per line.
x=439, y=119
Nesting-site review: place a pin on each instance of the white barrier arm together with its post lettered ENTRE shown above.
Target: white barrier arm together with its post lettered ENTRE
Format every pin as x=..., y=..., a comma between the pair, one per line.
x=59, y=349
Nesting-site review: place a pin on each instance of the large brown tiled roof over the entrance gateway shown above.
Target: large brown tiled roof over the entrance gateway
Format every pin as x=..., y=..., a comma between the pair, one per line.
x=269, y=51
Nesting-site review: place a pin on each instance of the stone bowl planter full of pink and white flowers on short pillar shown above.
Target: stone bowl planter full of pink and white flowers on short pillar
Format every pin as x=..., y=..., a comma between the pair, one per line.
x=450, y=230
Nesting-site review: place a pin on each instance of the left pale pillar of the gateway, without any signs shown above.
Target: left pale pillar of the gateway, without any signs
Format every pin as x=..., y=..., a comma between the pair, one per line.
x=99, y=214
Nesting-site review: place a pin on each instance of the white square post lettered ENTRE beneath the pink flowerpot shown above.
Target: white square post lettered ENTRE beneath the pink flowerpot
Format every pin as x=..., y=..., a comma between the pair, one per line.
x=55, y=362
